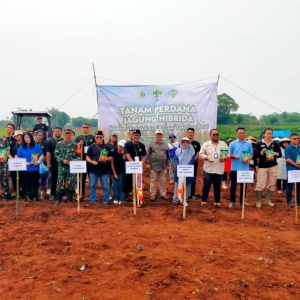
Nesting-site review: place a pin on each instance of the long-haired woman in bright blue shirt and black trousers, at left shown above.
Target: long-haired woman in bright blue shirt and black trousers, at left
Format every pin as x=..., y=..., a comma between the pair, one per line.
x=32, y=153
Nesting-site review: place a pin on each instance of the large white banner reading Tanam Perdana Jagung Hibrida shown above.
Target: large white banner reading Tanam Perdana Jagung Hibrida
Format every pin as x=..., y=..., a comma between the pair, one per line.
x=172, y=108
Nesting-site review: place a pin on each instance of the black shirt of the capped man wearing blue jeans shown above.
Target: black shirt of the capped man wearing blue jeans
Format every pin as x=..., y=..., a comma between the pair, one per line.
x=95, y=152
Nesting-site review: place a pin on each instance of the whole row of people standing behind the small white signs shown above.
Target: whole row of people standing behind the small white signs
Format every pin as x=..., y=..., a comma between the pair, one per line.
x=270, y=159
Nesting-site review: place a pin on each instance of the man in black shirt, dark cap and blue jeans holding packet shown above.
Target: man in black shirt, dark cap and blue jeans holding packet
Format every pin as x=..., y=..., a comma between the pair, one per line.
x=97, y=157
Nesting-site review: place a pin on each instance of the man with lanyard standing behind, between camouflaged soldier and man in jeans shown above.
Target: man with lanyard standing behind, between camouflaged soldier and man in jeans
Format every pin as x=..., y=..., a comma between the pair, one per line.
x=84, y=141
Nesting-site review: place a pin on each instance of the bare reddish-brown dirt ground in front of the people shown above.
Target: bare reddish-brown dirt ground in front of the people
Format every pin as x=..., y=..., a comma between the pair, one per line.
x=212, y=254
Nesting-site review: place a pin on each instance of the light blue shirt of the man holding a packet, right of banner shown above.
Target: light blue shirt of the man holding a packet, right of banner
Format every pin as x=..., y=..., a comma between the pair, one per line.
x=236, y=148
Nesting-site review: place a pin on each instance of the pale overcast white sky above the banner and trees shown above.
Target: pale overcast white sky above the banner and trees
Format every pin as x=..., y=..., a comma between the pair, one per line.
x=47, y=50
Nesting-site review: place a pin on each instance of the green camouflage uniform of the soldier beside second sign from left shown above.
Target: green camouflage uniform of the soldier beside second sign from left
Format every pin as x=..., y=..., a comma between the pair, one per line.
x=65, y=150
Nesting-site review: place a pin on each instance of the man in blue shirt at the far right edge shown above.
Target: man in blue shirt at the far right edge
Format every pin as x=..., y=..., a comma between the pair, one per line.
x=292, y=156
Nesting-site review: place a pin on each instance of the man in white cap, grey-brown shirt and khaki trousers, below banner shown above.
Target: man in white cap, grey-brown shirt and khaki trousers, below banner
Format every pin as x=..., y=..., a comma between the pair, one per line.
x=158, y=162
